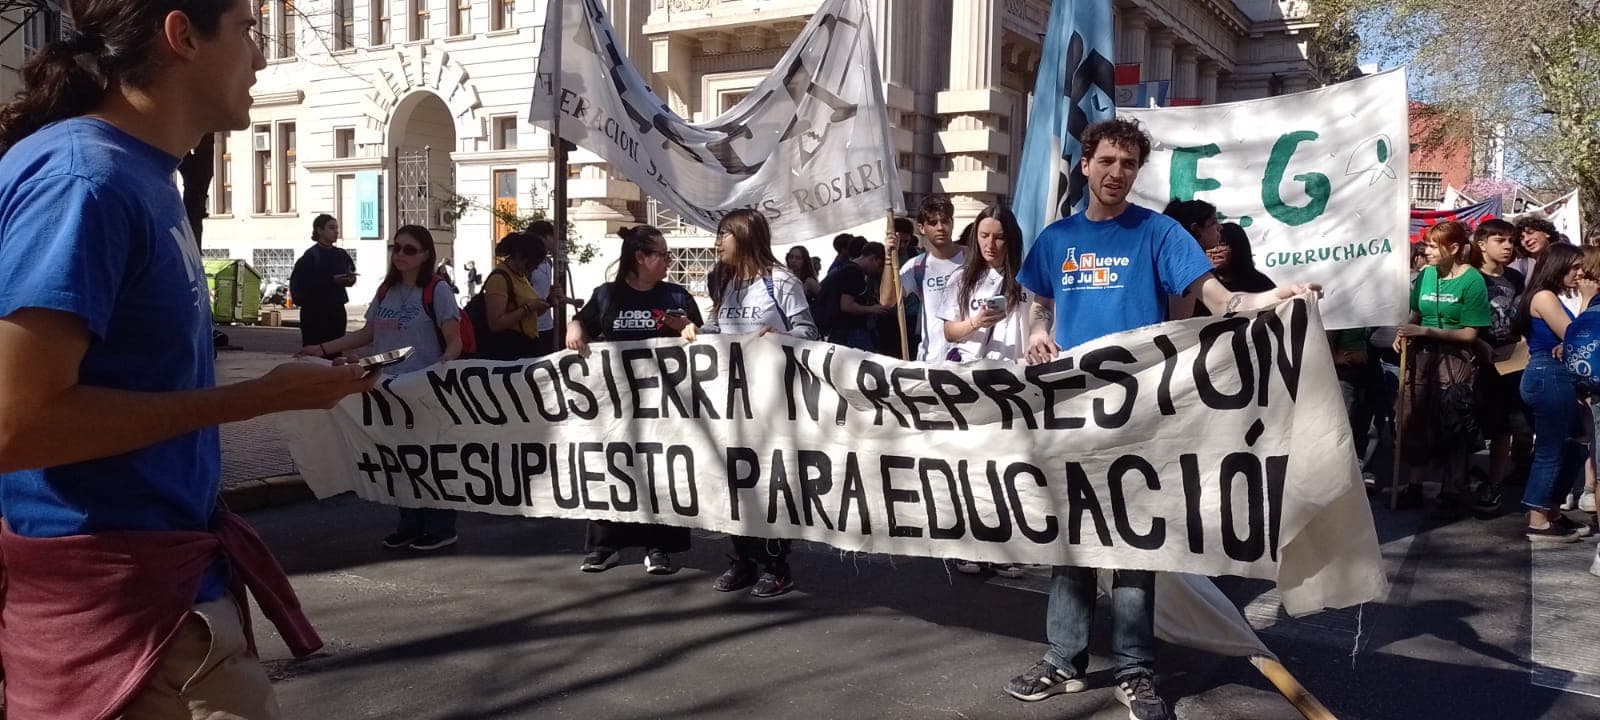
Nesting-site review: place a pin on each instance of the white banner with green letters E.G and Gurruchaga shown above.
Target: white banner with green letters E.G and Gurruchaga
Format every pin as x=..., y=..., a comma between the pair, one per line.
x=1319, y=182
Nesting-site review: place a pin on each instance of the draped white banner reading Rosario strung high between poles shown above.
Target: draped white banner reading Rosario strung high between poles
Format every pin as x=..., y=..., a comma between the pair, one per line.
x=809, y=146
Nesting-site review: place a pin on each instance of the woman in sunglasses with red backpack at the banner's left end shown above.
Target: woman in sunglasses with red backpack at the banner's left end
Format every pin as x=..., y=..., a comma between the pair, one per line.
x=417, y=310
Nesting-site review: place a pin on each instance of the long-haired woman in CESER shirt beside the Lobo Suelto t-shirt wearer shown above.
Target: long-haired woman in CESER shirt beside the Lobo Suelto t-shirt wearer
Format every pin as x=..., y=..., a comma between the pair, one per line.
x=753, y=294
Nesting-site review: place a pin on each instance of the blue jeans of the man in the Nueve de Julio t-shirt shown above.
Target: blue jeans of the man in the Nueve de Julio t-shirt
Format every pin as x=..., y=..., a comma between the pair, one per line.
x=1071, y=614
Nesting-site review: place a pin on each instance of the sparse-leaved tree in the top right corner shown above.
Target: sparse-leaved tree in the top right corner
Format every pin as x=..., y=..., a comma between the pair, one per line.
x=1530, y=68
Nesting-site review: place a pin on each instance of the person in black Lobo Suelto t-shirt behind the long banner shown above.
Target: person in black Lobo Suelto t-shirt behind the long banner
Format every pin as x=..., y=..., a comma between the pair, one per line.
x=639, y=305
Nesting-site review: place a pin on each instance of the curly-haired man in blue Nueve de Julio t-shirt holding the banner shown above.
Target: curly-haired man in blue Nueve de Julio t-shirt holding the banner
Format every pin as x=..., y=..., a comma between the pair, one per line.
x=1098, y=273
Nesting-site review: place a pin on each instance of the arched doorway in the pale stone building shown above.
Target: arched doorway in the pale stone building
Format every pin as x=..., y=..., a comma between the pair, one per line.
x=422, y=138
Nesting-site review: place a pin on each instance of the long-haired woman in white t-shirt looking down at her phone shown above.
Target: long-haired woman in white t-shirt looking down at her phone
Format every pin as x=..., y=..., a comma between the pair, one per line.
x=986, y=314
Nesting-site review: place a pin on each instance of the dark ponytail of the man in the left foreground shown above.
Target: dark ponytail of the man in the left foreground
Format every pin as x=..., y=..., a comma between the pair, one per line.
x=62, y=81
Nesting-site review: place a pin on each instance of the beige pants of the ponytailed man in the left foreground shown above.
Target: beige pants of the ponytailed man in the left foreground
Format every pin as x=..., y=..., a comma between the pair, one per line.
x=207, y=673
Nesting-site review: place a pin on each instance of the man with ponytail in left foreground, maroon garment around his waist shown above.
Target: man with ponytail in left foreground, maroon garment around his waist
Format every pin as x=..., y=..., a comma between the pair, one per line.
x=122, y=577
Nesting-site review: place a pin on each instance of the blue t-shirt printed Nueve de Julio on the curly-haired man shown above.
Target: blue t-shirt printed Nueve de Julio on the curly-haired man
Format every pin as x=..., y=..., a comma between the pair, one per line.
x=1111, y=276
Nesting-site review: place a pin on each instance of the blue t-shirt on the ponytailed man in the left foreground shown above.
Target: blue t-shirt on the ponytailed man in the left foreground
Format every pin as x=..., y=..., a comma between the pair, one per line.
x=92, y=225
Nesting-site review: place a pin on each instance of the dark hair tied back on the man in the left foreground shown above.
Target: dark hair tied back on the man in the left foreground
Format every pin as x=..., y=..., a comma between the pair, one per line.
x=114, y=42
